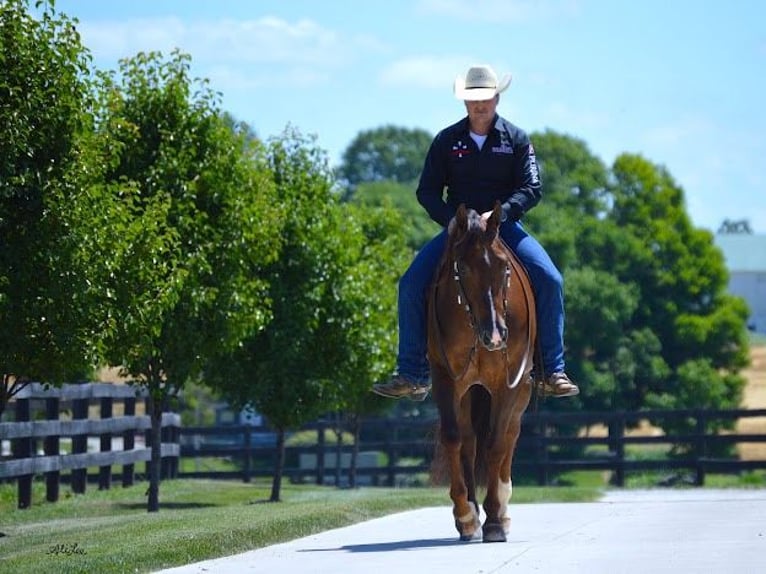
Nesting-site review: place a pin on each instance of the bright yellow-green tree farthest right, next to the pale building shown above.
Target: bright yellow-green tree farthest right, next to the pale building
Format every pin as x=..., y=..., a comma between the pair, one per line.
x=684, y=276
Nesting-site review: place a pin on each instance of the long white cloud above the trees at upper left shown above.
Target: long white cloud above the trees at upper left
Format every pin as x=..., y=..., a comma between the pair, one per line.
x=235, y=54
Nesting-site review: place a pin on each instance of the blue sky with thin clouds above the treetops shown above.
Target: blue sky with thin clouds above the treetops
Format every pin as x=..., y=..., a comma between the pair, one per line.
x=681, y=82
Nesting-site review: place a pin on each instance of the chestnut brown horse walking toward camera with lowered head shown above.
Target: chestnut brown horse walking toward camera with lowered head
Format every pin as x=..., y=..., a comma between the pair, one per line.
x=481, y=334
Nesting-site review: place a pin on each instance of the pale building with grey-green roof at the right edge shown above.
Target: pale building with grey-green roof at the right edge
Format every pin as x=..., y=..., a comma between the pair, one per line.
x=745, y=255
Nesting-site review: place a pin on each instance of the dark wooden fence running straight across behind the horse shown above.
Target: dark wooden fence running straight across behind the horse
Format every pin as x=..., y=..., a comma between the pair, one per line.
x=550, y=443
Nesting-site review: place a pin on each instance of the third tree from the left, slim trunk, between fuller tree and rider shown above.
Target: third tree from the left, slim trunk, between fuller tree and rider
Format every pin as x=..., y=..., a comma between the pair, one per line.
x=282, y=370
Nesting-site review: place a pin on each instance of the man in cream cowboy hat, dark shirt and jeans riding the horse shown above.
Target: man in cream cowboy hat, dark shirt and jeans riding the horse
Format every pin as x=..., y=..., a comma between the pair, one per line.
x=479, y=160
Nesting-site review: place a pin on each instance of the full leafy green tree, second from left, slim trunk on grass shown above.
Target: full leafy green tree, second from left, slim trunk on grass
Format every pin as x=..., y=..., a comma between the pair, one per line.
x=200, y=220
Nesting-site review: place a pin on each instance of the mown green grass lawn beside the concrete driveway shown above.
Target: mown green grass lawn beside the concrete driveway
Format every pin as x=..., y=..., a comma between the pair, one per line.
x=110, y=531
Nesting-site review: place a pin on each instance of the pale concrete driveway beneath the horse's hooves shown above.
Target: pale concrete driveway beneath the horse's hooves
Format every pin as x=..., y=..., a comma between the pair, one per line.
x=647, y=532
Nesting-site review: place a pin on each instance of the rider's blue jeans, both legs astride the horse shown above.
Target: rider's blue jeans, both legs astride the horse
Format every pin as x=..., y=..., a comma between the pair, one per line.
x=414, y=285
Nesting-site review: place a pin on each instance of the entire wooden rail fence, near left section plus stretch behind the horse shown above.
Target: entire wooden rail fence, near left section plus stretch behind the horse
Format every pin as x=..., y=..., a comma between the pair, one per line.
x=392, y=451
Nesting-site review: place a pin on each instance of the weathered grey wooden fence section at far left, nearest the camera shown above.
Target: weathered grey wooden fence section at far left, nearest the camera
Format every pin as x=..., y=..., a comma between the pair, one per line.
x=80, y=400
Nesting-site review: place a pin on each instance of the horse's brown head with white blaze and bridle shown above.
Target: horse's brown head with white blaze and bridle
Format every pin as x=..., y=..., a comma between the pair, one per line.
x=481, y=271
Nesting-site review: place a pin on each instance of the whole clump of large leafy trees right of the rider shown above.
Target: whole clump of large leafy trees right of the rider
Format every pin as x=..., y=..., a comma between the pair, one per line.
x=647, y=308
